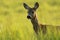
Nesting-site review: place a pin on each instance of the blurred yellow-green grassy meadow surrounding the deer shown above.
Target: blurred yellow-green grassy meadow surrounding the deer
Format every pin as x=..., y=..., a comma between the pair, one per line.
x=15, y=26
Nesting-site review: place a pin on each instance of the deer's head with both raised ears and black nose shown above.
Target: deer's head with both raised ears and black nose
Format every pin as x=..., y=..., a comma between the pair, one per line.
x=31, y=11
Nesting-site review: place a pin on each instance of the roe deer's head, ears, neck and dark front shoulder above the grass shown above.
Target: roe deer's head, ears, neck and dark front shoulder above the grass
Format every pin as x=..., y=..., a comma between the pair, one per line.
x=32, y=16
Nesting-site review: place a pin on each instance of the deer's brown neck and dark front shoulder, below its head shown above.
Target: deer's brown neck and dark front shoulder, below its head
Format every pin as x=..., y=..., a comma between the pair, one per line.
x=37, y=26
